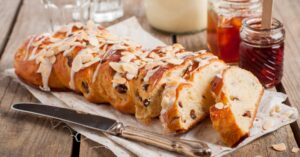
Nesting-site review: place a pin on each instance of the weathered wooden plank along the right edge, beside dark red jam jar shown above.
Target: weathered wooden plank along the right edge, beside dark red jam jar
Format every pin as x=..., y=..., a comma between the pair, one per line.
x=288, y=13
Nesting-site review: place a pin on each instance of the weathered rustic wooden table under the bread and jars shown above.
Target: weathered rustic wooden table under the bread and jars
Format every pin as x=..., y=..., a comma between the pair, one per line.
x=24, y=135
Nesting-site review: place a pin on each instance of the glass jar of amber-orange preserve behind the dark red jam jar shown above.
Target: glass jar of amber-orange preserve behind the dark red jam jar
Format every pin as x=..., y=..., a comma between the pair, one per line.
x=224, y=22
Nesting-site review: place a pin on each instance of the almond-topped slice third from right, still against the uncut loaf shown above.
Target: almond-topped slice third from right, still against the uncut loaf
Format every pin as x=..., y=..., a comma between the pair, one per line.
x=148, y=92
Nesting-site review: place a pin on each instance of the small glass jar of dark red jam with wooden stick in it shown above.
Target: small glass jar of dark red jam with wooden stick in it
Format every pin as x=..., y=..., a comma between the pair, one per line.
x=262, y=50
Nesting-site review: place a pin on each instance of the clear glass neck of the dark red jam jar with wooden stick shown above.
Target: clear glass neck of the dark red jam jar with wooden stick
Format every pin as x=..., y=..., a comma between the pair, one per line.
x=252, y=32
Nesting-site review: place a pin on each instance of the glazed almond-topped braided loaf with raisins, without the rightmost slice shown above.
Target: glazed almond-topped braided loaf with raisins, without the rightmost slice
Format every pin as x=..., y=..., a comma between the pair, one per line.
x=169, y=81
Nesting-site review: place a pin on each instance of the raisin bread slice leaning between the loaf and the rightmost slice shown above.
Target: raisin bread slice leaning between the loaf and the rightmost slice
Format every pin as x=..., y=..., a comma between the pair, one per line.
x=191, y=101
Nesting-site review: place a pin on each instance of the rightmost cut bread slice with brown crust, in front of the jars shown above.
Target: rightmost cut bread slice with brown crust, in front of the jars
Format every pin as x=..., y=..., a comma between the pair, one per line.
x=238, y=93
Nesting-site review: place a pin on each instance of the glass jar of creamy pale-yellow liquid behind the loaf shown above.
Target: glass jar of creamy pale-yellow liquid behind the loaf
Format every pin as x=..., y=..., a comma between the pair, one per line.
x=177, y=16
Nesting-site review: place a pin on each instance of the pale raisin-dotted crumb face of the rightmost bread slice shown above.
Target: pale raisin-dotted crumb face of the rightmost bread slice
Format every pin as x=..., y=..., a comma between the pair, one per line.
x=242, y=90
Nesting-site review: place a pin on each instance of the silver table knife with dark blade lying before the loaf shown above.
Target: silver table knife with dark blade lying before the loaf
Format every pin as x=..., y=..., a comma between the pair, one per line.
x=113, y=127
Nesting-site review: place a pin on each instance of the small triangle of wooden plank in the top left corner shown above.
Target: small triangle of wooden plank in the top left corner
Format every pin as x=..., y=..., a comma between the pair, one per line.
x=8, y=14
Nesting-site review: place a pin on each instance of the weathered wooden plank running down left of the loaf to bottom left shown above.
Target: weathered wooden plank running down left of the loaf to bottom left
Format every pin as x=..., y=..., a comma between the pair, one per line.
x=22, y=134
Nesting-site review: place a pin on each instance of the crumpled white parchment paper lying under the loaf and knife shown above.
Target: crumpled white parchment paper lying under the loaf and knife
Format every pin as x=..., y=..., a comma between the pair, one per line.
x=203, y=131
